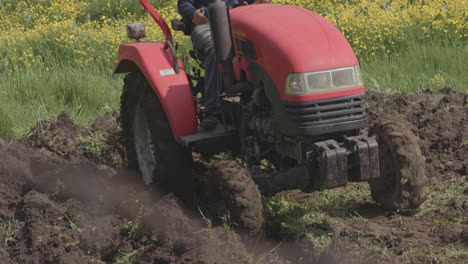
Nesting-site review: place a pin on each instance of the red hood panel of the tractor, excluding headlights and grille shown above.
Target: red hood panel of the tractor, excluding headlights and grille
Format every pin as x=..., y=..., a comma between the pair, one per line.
x=286, y=39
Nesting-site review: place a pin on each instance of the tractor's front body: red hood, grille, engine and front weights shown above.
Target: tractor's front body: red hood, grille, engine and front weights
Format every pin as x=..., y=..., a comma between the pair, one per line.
x=305, y=104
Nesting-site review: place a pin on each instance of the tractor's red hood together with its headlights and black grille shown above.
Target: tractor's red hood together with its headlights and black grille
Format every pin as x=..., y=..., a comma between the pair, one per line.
x=305, y=66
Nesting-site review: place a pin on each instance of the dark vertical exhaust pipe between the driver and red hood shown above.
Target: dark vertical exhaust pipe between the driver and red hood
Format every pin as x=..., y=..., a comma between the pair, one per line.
x=222, y=38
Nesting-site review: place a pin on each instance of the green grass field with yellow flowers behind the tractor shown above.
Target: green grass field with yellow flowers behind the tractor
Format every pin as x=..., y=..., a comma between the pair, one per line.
x=58, y=55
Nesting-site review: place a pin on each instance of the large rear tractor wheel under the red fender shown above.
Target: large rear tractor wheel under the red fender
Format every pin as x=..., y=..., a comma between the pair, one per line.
x=150, y=146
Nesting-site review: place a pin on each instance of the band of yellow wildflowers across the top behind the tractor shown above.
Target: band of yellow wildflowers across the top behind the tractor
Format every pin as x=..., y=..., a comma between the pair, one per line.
x=75, y=31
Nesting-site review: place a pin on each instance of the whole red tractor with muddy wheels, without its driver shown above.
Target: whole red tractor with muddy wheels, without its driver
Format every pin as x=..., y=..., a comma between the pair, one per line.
x=293, y=112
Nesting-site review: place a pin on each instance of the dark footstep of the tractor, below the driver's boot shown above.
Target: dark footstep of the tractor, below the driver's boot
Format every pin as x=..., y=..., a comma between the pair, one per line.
x=211, y=141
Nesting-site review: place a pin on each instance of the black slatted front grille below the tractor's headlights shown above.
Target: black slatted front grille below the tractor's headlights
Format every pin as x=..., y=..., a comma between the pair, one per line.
x=329, y=113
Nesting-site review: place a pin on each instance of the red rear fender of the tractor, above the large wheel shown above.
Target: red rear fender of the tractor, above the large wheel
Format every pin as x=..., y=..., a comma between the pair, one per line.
x=173, y=90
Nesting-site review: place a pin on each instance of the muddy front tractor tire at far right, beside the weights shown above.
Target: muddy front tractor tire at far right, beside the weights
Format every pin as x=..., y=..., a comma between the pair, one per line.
x=402, y=181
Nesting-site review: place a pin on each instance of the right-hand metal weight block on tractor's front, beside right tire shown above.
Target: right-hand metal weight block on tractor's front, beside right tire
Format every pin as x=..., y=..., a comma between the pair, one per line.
x=363, y=159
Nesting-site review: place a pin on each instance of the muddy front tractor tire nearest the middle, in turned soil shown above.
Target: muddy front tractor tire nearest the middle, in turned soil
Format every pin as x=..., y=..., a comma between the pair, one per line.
x=240, y=194
